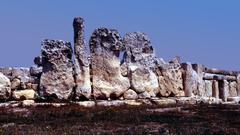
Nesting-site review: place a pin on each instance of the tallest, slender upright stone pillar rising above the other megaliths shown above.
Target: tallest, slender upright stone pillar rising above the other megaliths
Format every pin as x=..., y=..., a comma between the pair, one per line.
x=82, y=73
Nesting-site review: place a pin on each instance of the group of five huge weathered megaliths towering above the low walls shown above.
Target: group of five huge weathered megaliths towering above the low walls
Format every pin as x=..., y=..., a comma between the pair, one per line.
x=102, y=75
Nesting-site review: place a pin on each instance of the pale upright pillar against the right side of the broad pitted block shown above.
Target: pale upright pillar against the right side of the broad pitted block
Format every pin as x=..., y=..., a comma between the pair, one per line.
x=190, y=80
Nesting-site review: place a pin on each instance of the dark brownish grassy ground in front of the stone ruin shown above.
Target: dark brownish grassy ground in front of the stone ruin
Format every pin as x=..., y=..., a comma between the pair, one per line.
x=71, y=119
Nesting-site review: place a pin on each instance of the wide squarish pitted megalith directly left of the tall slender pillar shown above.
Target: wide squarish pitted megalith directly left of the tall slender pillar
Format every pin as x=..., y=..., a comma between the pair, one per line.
x=57, y=77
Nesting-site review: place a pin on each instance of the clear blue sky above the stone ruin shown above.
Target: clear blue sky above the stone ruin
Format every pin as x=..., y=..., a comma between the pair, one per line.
x=200, y=31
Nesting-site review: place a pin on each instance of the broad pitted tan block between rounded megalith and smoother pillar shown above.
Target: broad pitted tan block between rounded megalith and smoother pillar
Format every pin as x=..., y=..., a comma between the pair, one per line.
x=170, y=80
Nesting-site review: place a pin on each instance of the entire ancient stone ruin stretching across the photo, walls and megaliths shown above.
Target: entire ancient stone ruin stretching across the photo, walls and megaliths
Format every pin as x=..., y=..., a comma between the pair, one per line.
x=64, y=74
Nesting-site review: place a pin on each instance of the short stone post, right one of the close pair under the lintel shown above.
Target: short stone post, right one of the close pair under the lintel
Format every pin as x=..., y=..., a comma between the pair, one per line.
x=223, y=90
